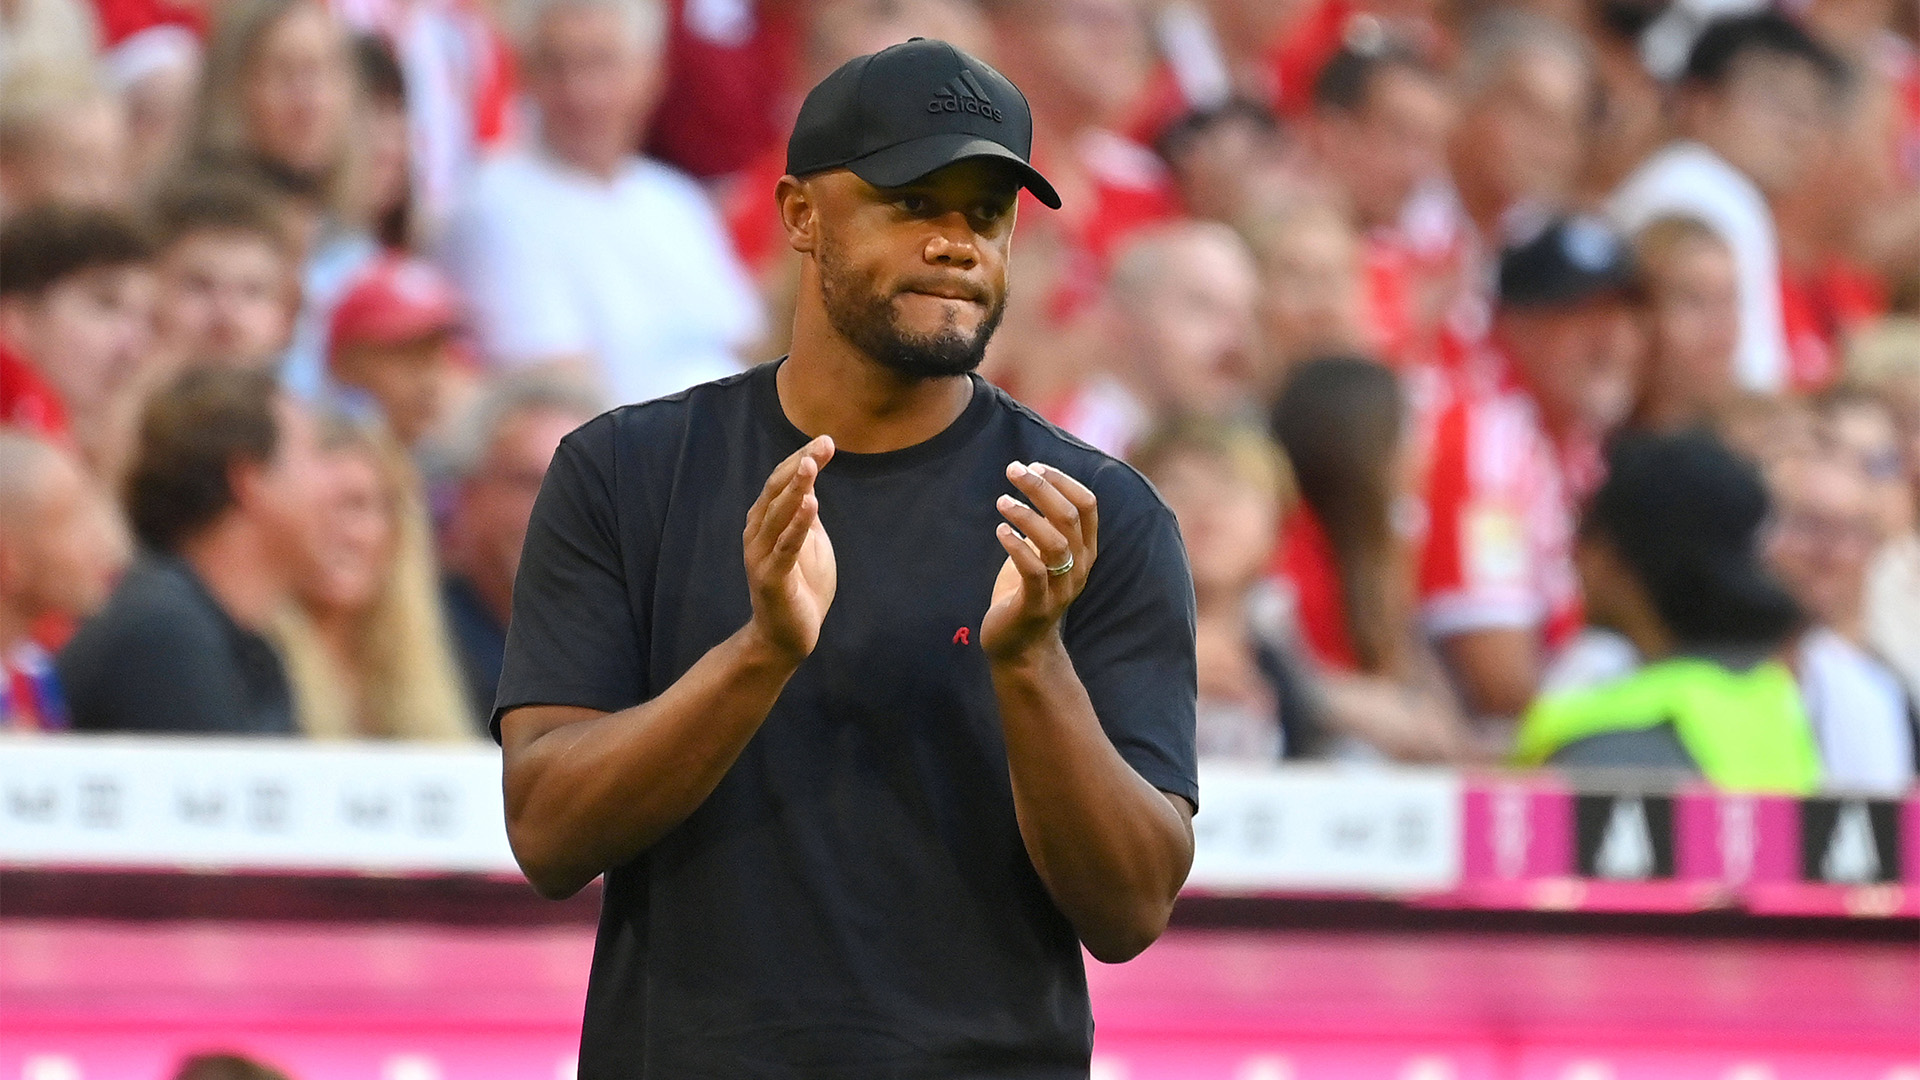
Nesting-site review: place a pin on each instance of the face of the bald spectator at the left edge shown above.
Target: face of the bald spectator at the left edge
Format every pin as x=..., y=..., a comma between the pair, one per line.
x=64, y=556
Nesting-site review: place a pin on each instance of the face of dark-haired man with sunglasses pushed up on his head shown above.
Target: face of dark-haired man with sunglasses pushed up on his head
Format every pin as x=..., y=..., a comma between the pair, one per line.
x=1391, y=145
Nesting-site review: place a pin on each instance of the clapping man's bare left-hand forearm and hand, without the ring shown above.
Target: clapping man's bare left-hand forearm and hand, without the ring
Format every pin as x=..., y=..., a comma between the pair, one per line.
x=588, y=791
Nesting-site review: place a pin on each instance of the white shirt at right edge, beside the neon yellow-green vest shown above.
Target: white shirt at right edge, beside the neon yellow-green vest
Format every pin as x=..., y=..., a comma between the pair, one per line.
x=1860, y=716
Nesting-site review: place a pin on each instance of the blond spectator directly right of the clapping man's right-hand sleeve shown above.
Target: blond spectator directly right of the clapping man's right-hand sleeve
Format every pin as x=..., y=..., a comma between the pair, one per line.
x=1228, y=485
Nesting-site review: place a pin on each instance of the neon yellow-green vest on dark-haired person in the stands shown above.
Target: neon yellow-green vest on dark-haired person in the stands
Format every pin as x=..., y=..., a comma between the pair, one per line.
x=1746, y=729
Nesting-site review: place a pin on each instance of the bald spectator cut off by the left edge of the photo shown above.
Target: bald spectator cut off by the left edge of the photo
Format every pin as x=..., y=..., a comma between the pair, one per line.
x=59, y=556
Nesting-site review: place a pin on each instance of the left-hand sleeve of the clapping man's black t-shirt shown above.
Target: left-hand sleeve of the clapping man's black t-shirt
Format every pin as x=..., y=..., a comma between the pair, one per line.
x=575, y=637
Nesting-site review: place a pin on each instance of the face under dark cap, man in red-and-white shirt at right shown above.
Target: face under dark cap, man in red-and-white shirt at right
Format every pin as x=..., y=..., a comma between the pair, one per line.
x=1583, y=362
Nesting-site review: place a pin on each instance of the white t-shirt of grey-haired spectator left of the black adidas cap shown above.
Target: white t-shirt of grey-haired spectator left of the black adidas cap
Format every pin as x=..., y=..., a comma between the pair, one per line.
x=635, y=274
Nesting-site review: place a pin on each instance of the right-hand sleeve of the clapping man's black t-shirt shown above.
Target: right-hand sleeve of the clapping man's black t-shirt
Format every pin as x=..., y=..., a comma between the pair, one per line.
x=1132, y=635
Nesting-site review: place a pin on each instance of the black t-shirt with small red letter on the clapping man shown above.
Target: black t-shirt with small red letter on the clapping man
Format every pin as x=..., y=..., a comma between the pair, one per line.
x=853, y=900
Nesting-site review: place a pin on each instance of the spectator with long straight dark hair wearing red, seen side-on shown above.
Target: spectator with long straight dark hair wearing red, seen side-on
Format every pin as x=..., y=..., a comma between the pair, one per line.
x=1349, y=552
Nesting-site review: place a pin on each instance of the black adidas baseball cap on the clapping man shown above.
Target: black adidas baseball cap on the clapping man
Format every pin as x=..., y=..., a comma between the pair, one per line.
x=907, y=110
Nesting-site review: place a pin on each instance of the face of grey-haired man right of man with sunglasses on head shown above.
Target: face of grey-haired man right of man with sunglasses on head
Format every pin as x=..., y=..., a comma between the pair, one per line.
x=1527, y=134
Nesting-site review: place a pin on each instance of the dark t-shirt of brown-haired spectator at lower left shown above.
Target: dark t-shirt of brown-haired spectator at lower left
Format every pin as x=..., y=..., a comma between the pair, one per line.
x=164, y=656
